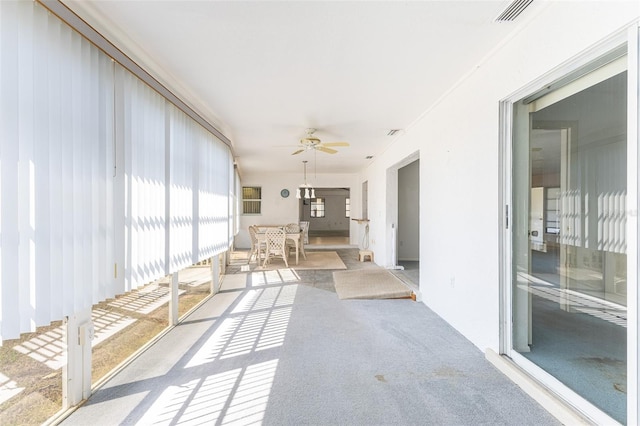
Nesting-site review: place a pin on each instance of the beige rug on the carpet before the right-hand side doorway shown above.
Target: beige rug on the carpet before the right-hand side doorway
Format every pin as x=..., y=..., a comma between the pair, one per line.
x=369, y=284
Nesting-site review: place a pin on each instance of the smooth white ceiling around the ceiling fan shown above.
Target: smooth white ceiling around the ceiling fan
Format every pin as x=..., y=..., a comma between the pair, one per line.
x=264, y=71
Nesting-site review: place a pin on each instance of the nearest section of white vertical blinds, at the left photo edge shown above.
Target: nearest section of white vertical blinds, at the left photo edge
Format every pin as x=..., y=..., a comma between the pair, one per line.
x=56, y=133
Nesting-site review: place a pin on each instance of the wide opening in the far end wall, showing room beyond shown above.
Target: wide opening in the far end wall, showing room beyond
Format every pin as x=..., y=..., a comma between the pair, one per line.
x=328, y=215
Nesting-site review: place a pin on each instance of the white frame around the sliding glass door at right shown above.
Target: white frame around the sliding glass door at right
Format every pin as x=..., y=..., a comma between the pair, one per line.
x=630, y=37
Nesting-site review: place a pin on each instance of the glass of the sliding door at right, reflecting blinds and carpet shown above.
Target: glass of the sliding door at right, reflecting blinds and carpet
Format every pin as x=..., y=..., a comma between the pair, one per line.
x=569, y=272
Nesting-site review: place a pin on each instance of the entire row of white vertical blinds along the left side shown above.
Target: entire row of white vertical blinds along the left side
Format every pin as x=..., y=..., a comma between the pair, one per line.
x=104, y=185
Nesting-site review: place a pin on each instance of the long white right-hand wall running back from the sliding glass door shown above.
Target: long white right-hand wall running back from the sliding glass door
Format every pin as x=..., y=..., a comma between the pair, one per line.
x=459, y=164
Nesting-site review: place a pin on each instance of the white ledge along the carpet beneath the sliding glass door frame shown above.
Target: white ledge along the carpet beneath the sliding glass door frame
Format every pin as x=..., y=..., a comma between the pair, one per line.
x=549, y=401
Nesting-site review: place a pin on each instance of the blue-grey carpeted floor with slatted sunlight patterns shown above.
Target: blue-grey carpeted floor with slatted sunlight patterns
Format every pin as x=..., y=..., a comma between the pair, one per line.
x=279, y=348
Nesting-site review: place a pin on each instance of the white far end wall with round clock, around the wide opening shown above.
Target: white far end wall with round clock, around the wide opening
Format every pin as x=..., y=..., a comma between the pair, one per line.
x=277, y=210
